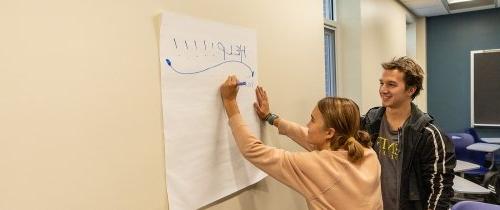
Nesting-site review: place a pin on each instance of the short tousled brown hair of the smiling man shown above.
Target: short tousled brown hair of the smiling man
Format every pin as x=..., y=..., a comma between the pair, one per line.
x=413, y=73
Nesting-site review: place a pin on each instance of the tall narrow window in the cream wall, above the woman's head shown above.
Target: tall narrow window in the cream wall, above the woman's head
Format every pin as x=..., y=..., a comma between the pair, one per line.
x=330, y=26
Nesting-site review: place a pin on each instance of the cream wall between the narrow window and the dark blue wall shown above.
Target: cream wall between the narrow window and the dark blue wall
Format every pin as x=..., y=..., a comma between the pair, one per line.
x=376, y=34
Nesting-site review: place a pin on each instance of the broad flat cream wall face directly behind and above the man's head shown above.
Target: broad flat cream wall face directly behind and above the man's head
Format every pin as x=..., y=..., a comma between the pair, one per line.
x=383, y=37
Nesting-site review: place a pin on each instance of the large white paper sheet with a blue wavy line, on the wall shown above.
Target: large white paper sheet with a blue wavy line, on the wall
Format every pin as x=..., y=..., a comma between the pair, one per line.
x=203, y=163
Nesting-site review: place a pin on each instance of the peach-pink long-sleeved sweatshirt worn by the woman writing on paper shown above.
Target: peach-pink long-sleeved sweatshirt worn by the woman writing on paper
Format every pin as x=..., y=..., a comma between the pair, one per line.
x=325, y=178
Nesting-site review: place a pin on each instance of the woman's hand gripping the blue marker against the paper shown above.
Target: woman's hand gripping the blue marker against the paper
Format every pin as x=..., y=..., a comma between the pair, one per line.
x=228, y=93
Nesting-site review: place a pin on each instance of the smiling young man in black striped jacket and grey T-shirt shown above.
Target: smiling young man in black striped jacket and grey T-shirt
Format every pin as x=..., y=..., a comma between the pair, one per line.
x=417, y=158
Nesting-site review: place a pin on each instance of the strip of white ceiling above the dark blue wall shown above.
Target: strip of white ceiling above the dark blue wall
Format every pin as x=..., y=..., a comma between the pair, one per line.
x=429, y=8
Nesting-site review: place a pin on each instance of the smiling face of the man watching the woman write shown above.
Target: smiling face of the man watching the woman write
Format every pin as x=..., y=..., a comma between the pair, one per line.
x=392, y=89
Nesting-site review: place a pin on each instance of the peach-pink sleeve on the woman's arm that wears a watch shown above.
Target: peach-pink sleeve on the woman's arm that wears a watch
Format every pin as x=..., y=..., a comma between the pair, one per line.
x=296, y=132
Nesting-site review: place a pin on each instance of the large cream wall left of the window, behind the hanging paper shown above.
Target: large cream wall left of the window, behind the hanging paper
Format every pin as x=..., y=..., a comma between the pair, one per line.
x=81, y=105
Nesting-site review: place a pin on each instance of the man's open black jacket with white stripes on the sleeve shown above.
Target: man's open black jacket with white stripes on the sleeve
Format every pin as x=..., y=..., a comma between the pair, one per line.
x=427, y=160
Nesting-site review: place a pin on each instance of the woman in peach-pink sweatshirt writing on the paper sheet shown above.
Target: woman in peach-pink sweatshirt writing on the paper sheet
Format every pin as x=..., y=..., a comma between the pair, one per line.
x=339, y=171
